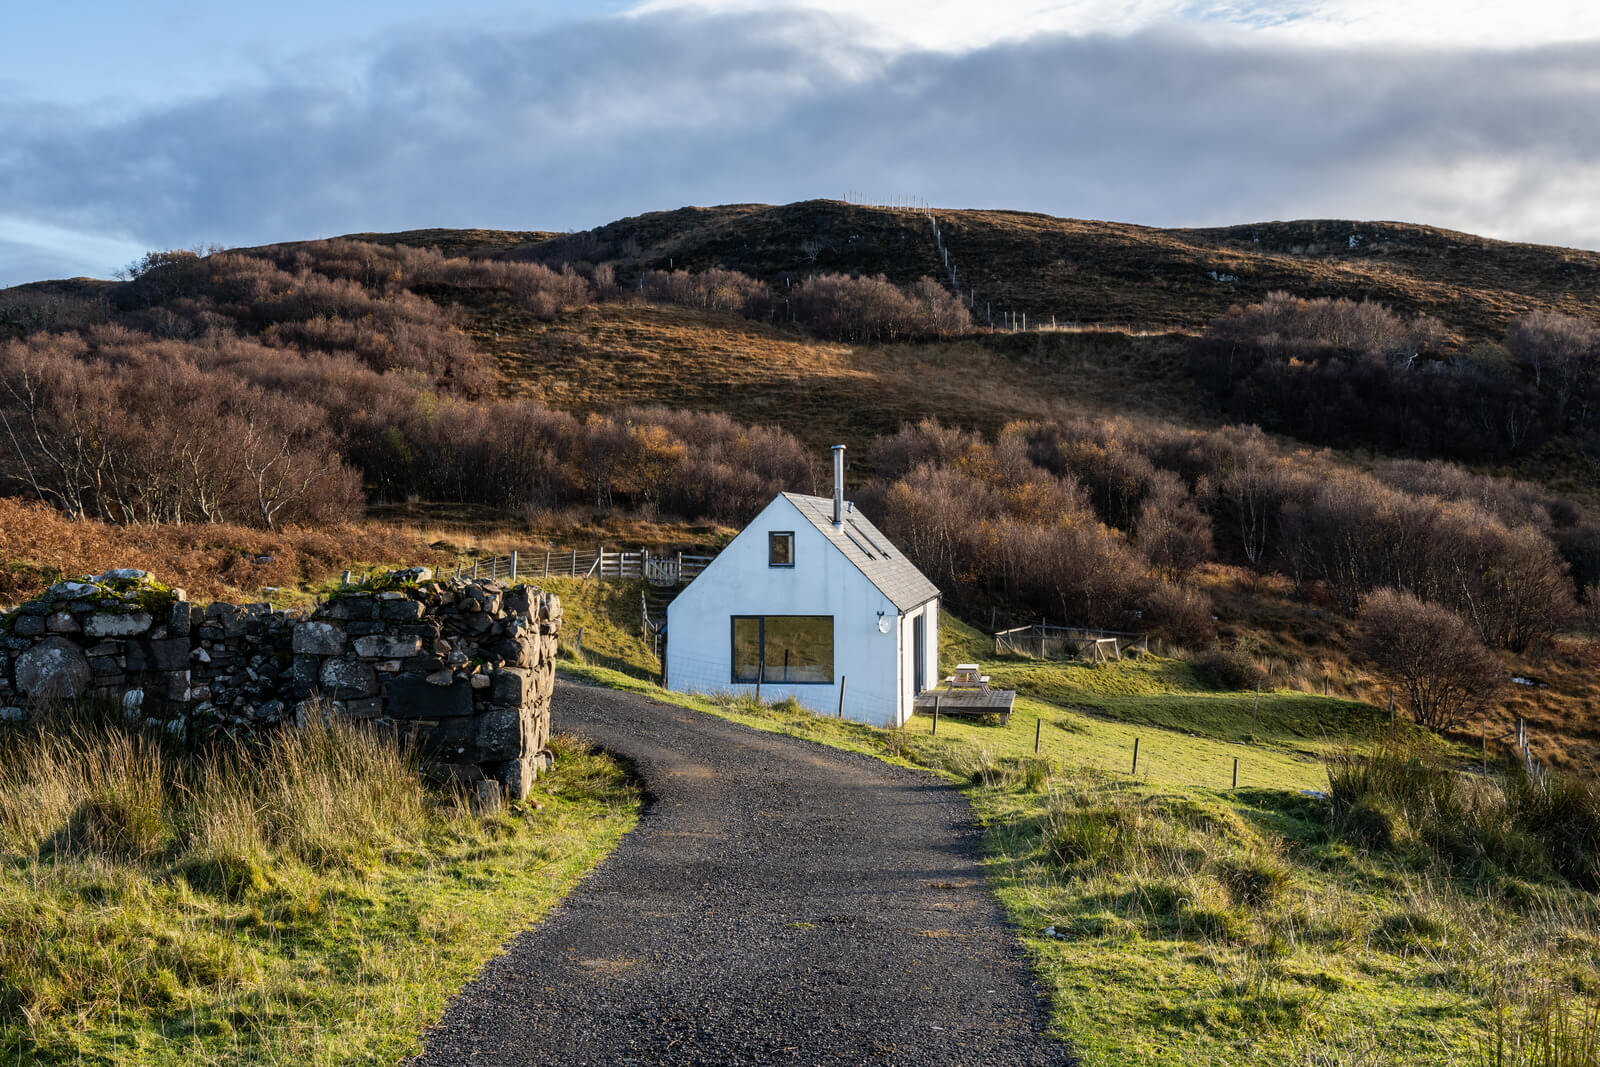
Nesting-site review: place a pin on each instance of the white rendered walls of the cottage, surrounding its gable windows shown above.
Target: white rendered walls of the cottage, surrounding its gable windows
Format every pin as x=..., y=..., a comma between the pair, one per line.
x=823, y=581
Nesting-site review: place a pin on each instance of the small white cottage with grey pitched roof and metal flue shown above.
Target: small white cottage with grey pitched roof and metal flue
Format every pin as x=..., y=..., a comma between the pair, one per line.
x=812, y=602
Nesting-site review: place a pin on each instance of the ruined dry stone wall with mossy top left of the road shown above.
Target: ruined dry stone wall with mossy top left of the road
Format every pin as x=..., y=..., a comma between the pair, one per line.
x=463, y=669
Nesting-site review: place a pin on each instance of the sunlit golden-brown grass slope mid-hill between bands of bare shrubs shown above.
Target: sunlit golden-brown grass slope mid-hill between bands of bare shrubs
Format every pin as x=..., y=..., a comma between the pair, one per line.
x=615, y=356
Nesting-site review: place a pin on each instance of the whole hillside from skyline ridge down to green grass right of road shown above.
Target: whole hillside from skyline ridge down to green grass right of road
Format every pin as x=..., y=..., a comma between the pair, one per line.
x=254, y=423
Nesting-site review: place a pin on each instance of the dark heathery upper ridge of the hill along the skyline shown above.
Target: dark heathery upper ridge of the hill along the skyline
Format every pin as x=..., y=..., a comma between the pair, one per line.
x=1078, y=271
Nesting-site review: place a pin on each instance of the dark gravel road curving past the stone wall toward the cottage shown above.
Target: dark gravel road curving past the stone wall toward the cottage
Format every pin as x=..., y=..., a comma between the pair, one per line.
x=780, y=903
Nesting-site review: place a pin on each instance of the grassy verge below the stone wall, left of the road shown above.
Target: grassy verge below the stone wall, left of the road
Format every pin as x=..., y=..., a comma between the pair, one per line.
x=313, y=903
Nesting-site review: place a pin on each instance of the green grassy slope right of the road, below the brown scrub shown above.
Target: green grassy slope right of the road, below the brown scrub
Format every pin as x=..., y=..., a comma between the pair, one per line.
x=1177, y=921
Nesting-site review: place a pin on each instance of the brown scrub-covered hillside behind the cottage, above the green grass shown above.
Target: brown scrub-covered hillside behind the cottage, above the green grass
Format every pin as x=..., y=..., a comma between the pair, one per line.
x=441, y=378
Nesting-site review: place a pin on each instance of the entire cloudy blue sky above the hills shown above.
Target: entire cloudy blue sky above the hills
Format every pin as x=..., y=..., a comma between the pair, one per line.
x=127, y=129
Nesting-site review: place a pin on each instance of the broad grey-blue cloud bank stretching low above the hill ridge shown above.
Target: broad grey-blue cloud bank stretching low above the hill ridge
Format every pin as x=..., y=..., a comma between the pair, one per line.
x=582, y=126
